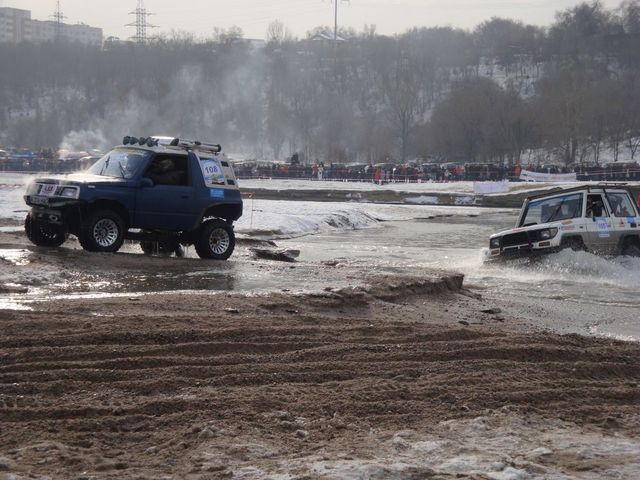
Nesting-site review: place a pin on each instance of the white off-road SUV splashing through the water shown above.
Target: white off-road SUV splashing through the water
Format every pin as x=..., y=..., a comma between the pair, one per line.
x=599, y=218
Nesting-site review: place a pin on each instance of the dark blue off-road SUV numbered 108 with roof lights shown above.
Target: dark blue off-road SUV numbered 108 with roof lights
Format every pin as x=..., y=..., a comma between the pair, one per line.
x=164, y=192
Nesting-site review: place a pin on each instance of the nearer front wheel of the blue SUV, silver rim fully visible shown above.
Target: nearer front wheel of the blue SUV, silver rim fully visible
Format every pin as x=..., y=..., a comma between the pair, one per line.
x=102, y=231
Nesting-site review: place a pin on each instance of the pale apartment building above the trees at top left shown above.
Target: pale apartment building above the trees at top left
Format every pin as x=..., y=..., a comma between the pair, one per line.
x=17, y=26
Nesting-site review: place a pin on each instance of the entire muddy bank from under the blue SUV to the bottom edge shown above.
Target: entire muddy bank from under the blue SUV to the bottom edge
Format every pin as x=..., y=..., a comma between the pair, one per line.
x=391, y=377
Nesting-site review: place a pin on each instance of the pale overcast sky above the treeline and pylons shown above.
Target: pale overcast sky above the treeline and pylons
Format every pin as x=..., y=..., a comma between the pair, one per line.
x=253, y=16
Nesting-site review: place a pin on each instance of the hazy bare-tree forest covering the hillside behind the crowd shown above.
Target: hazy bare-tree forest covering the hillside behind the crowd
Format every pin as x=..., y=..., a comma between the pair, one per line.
x=568, y=92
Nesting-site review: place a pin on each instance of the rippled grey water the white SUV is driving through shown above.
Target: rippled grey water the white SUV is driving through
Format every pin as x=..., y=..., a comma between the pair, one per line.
x=567, y=292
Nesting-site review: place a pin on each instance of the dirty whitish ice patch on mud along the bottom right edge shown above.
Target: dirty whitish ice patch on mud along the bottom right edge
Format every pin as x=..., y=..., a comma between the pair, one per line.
x=500, y=446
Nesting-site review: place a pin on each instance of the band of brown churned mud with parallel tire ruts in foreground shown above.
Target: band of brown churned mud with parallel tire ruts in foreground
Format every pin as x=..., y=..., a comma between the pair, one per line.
x=108, y=390
